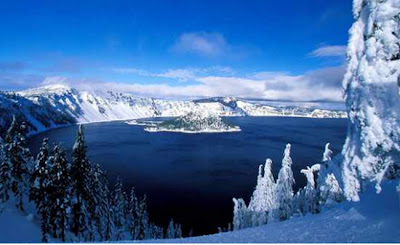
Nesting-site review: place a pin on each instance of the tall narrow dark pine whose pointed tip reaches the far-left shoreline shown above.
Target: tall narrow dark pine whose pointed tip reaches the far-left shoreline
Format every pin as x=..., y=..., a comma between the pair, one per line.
x=80, y=178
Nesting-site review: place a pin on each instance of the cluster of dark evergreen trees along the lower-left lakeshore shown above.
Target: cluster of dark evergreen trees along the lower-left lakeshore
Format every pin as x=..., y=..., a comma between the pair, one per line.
x=71, y=198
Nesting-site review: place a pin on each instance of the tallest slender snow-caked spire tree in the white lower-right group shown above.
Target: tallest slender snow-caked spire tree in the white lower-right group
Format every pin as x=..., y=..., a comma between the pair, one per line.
x=284, y=188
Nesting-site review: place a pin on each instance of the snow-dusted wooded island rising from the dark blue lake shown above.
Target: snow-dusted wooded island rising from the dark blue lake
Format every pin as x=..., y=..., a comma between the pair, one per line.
x=194, y=122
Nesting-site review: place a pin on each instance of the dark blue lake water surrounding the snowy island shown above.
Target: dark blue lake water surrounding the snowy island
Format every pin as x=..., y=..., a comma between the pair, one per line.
x=193, y=177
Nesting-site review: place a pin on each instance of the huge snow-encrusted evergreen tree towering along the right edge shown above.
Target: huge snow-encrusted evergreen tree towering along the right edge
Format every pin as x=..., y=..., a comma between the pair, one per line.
x=371, y=91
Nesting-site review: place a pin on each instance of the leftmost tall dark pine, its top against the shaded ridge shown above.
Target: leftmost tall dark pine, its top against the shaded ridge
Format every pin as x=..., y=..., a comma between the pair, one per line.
x=18, y=157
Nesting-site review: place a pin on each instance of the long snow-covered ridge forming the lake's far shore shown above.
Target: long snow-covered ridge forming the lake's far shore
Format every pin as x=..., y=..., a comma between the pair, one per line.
x=57, y=105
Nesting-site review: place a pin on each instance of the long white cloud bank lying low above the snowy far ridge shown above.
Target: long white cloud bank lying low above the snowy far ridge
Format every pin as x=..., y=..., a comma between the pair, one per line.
x=323, y=84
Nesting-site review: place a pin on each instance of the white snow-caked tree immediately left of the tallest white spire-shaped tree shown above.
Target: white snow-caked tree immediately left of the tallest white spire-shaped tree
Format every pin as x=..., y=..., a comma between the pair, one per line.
x=262, y=200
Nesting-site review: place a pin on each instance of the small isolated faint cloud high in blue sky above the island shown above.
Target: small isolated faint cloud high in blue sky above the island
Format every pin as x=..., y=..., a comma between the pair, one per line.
x=201, y=43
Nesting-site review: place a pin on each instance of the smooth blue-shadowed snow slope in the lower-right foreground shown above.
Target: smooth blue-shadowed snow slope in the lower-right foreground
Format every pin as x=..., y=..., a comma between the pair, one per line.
x=376, y=218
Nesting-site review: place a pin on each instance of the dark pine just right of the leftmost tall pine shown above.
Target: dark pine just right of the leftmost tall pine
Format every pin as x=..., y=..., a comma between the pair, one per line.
x=39, y=187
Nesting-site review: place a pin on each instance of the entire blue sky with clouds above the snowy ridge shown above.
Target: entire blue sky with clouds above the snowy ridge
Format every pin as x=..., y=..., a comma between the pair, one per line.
x=264, y=49
